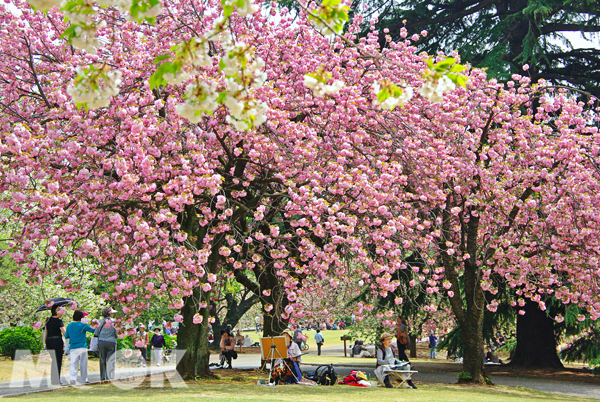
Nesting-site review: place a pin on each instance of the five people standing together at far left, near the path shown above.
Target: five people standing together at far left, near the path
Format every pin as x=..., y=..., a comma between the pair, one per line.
x=77, y=347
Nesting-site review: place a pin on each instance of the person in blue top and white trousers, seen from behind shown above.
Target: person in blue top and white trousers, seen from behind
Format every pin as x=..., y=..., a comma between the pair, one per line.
x=75, y=332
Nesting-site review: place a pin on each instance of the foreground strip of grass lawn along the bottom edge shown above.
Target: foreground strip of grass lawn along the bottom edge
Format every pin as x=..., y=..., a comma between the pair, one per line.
x=237, y=391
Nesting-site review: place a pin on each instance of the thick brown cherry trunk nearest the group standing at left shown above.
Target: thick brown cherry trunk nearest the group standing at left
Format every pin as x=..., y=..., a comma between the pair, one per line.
x=193, y=338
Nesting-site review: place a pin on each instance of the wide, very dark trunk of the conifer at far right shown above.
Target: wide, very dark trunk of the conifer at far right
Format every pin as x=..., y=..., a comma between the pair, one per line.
x=536, y=342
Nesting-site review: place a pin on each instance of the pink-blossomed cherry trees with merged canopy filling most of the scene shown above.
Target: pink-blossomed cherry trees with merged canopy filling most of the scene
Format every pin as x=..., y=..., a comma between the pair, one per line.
x=193, y=141
